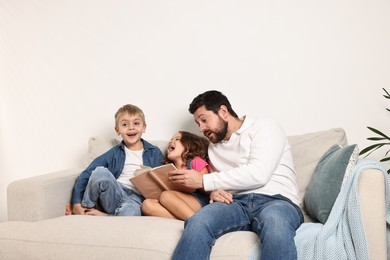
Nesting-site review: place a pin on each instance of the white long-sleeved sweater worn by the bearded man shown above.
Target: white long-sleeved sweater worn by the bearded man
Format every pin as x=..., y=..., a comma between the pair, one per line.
x=256, y=159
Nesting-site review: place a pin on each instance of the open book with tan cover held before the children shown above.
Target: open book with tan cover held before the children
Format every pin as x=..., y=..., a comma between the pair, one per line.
x=152, y=181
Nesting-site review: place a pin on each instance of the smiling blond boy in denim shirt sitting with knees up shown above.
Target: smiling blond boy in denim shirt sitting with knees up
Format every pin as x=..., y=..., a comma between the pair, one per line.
x=104, y=188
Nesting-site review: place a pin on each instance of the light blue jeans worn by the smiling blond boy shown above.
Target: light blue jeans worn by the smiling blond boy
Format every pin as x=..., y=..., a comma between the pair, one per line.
x=107, y=194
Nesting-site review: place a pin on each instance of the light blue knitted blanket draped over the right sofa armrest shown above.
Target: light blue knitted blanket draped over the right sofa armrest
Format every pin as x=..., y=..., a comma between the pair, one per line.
x=342, y=237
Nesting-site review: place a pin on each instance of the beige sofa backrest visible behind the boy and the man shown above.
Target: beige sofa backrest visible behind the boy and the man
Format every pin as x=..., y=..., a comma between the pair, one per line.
x=306, y=150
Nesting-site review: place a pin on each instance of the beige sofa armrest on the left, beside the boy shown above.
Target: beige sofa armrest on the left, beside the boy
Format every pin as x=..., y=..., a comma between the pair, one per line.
x=41, y=197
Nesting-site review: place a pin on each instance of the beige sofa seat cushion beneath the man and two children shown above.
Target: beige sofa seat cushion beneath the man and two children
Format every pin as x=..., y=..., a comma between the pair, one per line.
x=89, y=237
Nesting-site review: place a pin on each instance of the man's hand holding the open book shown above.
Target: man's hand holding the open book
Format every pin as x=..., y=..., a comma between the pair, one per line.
x=188, y=178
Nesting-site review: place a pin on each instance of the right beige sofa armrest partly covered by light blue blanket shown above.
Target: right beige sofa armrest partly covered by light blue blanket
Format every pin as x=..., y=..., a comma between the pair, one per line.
x=373, y=210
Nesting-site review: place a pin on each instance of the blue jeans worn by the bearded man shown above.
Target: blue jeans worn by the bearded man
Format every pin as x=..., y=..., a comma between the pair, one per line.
x=274, y=218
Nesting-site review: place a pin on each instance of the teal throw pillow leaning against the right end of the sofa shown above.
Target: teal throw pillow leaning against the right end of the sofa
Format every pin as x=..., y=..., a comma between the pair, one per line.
x=326, y=181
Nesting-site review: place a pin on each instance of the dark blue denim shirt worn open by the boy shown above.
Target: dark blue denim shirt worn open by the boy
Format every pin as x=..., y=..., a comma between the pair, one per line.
x=114, y=161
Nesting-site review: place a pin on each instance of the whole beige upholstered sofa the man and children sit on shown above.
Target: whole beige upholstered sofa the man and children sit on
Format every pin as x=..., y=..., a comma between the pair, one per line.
x=37, y=228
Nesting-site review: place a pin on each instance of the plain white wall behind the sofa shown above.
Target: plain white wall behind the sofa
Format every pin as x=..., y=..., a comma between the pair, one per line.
x=66, y=66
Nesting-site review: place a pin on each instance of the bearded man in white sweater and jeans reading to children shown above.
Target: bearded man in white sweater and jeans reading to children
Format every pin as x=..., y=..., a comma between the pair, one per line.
x=253, y=162
